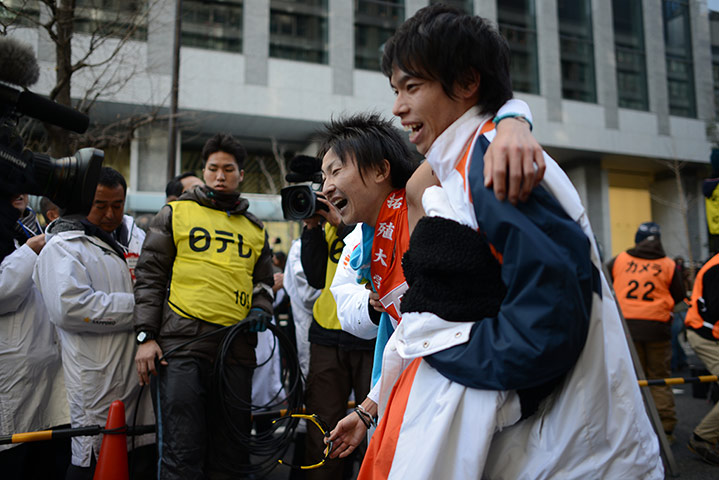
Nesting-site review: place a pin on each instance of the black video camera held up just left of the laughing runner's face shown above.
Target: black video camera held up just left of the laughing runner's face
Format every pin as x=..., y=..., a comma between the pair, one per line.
x=300, y=201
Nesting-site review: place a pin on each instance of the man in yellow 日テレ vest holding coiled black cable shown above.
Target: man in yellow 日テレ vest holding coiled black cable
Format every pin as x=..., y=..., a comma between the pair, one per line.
x=206, y=264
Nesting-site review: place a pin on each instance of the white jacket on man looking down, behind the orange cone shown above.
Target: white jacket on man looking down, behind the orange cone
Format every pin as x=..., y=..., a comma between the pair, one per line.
x=87, y=288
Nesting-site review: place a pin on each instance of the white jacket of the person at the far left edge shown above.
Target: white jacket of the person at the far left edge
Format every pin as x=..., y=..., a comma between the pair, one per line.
x=32, y=388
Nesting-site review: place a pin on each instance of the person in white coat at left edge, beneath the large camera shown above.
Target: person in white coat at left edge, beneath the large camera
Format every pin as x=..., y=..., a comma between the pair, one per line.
x=32, y=390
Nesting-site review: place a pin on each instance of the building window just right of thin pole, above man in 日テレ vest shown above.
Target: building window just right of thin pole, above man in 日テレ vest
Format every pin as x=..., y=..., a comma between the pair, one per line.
x=214, y=24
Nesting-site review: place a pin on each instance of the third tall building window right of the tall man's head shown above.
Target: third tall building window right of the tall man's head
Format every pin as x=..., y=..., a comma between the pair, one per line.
x=630, y=54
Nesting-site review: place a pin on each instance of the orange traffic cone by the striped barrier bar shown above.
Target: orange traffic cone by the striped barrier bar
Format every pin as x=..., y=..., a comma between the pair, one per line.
x=112, y=462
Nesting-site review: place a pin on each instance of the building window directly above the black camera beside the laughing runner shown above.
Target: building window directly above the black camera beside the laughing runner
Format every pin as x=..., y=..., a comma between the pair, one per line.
x=298, y=30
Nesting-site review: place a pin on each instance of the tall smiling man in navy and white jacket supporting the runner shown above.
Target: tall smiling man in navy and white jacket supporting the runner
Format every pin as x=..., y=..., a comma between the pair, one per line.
x=507, y=321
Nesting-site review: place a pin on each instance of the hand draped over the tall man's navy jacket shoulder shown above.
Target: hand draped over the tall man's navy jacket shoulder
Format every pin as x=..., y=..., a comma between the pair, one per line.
x=510, y=160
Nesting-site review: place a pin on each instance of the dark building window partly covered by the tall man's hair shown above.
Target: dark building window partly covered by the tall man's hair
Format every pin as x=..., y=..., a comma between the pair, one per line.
x=375, y=22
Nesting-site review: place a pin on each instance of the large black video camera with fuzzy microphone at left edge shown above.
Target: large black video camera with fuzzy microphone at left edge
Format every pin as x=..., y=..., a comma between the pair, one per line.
x=70, y=182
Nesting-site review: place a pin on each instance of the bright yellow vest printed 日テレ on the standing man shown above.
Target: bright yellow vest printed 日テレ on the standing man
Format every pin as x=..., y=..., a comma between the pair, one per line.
x=216, y=255
